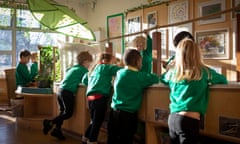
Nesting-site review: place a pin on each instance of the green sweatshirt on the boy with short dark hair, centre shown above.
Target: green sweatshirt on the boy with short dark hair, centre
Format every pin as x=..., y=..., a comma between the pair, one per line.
x=128, y=89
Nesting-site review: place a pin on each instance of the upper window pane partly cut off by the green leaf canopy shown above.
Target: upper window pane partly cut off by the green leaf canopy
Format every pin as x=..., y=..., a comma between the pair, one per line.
x=26, y=19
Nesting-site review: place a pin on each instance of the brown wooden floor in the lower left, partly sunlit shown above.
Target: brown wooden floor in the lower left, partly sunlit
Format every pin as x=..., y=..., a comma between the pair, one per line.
x=11, y=134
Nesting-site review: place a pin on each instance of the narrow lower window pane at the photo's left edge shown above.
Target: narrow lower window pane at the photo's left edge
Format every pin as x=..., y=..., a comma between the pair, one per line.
x=5, y=40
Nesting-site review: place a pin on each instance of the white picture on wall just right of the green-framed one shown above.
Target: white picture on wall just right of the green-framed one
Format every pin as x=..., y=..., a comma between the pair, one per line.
x=133, y=26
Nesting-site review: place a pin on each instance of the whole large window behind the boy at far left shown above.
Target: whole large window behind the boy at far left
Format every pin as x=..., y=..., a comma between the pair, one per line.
x=19, y=30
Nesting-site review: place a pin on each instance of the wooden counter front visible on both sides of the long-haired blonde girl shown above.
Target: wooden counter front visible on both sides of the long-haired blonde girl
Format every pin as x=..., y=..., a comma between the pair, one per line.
x=221, y=120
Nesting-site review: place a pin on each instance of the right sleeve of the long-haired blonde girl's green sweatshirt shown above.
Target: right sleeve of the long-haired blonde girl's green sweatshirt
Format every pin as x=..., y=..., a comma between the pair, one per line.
x=216, y=78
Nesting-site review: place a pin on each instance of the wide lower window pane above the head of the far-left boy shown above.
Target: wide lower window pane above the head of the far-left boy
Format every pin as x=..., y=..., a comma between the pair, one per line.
x=31, y=40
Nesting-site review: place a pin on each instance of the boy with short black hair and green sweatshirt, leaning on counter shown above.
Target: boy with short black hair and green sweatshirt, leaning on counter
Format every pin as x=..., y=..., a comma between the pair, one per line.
x=129, y=85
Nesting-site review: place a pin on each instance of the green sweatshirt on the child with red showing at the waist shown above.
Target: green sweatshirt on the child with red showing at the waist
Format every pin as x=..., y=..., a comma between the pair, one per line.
x=100, y=79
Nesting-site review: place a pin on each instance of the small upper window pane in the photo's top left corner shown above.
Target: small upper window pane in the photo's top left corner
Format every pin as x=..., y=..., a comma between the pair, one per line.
x=5, y=16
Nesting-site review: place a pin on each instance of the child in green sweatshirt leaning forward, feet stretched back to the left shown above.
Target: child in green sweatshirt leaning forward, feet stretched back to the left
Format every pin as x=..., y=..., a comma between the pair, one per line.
x=66, y=94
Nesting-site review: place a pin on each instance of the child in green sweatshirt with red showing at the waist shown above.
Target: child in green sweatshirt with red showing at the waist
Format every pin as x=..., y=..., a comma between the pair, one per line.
x=99, y=90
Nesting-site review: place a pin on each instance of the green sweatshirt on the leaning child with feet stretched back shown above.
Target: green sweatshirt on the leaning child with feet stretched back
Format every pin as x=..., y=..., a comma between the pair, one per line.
x=73, y=78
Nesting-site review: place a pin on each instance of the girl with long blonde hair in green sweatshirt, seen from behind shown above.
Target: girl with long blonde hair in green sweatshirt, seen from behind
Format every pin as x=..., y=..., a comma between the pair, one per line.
x=188, y=81
